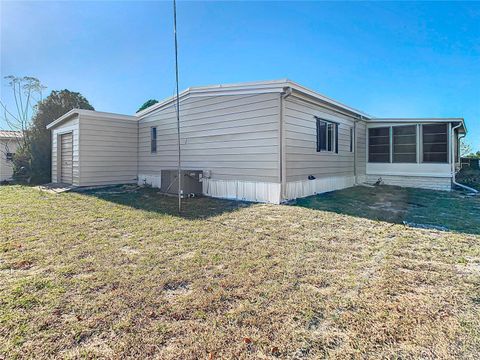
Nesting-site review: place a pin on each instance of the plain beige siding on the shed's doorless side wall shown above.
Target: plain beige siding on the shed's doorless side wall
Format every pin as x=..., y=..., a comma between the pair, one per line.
x=108, y=150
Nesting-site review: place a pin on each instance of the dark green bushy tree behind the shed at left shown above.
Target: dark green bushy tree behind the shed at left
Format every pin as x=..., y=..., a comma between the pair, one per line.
x=35, y=158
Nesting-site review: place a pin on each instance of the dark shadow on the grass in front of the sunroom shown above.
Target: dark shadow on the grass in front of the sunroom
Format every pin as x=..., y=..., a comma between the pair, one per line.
x=454, y=210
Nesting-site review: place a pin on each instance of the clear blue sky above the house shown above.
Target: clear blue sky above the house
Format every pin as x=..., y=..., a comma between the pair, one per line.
x=387, y=59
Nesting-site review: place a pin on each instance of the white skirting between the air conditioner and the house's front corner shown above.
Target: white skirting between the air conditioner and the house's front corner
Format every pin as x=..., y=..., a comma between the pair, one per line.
x=242, y=190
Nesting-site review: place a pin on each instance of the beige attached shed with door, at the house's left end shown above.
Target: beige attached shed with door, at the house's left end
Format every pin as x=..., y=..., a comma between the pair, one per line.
x=92, y=148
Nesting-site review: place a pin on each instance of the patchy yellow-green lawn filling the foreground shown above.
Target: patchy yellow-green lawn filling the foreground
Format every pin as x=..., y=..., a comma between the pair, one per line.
x=118, y=274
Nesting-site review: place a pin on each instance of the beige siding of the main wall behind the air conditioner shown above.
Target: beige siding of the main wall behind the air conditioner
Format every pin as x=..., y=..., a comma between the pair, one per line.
x=235, y=137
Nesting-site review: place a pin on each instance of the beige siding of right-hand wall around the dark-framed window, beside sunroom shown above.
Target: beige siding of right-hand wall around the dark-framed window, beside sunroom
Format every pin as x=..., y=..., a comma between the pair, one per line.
x=302, y=159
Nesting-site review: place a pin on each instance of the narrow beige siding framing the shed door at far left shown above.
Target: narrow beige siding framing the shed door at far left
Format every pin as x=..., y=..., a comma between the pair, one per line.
x=66, y=127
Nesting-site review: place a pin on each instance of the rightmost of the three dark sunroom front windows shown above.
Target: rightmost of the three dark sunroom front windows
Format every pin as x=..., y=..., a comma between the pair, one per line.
x=435, y=143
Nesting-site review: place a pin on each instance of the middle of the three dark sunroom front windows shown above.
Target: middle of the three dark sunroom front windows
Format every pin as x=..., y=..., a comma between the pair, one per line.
x=405, y=144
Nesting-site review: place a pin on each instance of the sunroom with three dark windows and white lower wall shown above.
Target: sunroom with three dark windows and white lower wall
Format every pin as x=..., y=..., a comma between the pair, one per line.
x=414, y=152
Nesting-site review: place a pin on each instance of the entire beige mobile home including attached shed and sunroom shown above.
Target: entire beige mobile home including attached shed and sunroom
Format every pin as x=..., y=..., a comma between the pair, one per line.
x=263, y=141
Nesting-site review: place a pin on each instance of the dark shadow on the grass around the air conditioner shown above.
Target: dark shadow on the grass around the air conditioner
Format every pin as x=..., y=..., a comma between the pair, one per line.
x=149, y=199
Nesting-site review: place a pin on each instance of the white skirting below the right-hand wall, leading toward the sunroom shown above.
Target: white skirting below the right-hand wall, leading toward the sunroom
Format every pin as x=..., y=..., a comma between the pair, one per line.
x=304, y=188
